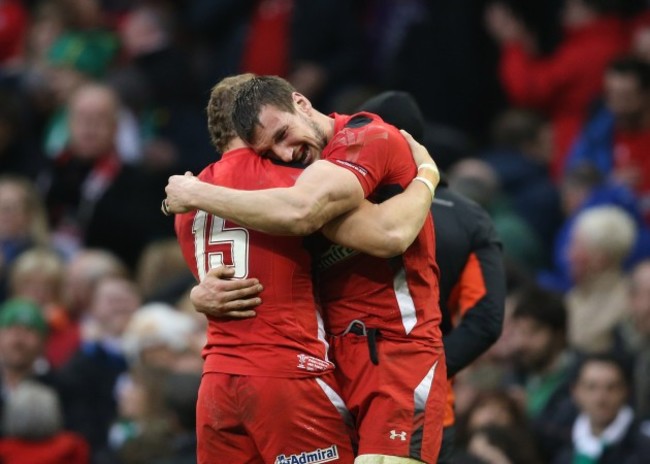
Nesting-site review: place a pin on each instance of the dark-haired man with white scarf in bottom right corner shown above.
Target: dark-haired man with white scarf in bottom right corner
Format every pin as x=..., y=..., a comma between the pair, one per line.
x=605, y=432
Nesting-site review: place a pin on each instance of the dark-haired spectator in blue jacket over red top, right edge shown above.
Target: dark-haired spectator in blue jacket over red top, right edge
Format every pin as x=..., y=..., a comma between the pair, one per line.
x=616, y=140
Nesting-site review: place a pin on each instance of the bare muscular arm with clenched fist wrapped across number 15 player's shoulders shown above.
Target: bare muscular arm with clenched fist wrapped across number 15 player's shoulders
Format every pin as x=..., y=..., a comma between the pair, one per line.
x=322, y=192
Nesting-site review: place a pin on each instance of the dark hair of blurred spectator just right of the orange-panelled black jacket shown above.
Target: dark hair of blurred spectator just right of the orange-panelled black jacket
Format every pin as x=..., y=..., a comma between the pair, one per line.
x=543, y=306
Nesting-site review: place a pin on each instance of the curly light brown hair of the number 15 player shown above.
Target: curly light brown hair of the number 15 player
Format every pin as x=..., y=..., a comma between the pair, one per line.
x=219, y=110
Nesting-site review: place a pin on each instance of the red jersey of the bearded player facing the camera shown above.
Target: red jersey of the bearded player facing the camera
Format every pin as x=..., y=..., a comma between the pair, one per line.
x=398, y=296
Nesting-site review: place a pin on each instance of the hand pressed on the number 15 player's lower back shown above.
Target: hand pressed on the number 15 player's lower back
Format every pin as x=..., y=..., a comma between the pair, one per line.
x=219, y=295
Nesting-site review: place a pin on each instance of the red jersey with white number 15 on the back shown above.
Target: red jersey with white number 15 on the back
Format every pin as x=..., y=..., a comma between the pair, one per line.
x=286, y=338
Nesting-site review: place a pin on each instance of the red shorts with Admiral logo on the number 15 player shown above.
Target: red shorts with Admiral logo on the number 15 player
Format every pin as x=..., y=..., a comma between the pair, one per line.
x=251, y=420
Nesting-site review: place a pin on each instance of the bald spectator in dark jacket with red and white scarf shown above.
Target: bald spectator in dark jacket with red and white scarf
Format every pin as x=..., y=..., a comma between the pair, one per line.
x=94, y=198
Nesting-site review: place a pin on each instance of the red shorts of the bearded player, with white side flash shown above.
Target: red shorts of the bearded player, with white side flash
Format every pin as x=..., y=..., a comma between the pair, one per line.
x=399, y=403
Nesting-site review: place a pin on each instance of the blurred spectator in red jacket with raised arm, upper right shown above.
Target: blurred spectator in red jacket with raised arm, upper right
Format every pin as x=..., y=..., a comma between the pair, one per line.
x=563, y=84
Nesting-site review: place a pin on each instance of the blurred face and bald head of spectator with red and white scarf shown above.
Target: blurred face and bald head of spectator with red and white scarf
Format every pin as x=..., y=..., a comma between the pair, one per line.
x=93, y=122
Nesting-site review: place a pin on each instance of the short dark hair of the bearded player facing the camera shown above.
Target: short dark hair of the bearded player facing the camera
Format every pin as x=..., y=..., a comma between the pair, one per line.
x=255, y=94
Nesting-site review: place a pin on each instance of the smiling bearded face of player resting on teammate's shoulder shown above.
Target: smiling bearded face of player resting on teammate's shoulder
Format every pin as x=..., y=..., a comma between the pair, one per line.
x=289, y=137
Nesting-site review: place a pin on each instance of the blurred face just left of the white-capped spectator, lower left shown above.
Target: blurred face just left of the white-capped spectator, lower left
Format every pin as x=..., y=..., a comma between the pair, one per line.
x=114, y=302
